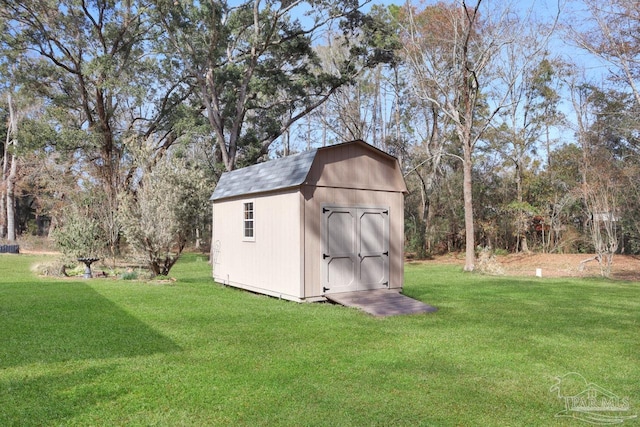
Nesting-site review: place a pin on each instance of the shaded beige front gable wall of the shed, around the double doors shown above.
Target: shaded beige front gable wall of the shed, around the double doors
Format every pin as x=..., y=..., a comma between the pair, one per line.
x=352, y=175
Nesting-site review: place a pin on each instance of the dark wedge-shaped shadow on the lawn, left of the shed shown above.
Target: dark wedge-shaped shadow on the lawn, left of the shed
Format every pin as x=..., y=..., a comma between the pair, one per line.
x=54, y=322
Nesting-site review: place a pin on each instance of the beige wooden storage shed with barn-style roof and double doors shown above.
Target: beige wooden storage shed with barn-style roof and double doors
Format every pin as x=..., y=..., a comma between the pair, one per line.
x=324, y=221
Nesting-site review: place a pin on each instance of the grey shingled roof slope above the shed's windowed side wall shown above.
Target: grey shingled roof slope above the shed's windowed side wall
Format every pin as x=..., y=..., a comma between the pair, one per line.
x=275, y=174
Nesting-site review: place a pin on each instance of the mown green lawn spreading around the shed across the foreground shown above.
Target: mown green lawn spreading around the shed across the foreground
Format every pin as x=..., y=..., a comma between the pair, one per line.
x=105, y=352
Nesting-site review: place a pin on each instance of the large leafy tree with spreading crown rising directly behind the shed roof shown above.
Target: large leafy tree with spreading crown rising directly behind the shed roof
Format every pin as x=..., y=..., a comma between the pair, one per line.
x=254, y=66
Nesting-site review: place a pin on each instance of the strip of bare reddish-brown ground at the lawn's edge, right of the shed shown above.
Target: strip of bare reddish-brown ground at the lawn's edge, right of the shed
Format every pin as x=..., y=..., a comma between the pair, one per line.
x=625, y=267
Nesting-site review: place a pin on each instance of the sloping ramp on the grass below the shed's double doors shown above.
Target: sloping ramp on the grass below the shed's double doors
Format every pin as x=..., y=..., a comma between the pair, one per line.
x=381, y=302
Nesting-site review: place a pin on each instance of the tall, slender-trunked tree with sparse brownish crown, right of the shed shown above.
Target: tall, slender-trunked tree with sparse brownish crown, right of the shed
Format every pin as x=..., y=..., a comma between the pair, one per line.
x=457, y=50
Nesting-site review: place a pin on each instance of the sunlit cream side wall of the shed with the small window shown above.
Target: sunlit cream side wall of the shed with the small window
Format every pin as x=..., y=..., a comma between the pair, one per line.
x=272, y=263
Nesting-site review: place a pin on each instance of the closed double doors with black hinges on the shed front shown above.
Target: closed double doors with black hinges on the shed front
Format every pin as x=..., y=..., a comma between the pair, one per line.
x=355, y=249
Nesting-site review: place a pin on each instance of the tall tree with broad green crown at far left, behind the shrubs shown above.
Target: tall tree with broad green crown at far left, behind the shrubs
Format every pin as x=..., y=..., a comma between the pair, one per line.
x=93, y=63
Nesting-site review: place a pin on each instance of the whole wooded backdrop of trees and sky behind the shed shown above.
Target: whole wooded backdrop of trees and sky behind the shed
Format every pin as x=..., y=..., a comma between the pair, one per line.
x=517, y=126
